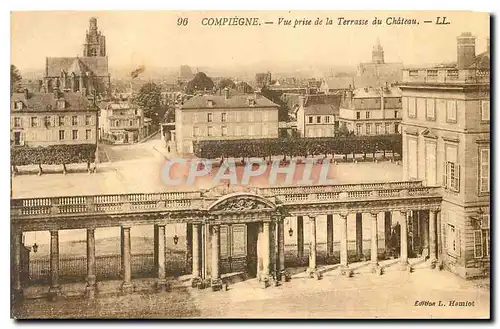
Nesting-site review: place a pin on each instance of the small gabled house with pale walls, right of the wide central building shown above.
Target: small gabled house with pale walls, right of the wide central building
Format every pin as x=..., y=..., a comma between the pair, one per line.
x=317, y=115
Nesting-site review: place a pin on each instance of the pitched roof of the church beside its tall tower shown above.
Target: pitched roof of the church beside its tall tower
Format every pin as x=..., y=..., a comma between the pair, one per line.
x=78, y=65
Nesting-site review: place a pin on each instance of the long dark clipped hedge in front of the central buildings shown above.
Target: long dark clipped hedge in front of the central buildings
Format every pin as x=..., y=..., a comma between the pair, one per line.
x=298, y=146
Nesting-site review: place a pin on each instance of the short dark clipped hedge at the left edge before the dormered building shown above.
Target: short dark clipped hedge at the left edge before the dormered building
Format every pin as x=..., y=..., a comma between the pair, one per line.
x=52, y=154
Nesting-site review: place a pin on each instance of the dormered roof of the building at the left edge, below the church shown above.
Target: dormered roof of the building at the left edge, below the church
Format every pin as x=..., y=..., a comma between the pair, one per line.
x=46, y=102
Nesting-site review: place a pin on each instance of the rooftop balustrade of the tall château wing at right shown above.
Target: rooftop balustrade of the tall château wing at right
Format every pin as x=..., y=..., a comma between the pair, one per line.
x=446, y=75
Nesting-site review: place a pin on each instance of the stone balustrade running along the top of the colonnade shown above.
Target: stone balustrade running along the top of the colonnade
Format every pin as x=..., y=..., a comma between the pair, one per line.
x=178, y=201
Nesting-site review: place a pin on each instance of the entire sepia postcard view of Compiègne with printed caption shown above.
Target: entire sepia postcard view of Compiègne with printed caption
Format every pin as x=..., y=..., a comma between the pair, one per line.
x=250, y=165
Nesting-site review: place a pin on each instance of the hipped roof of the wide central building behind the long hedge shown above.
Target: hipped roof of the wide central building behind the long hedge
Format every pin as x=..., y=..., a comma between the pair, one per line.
x=237, y=101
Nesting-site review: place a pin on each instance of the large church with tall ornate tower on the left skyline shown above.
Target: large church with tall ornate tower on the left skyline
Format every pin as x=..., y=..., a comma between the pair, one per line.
x=86, y=74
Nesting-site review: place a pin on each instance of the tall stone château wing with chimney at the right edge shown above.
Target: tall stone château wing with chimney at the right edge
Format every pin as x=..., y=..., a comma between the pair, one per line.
x=446, y=142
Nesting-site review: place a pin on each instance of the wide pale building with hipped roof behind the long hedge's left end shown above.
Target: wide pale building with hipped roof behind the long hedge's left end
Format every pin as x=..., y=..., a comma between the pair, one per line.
x=215, y=117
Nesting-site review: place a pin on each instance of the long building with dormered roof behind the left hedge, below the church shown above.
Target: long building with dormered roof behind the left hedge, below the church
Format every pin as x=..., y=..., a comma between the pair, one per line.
x=42, y=119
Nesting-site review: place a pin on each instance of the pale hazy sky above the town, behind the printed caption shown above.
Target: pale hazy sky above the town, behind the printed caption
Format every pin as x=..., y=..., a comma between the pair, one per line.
x=154, y=39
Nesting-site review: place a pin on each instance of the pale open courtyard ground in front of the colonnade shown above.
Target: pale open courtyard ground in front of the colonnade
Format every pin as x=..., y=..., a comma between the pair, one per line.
x=365, y=295
